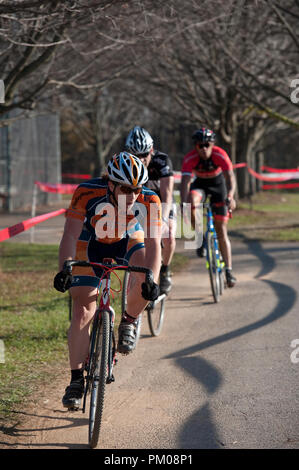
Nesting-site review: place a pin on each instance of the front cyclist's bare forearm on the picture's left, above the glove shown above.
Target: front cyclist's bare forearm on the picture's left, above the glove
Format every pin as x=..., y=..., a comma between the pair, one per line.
x=67, y=248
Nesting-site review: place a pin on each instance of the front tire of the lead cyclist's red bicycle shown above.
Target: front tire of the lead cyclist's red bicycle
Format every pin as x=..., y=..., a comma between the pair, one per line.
x=99, y=379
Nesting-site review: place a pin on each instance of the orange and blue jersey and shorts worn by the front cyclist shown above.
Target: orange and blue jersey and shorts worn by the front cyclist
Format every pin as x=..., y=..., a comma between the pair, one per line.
x=109, y=231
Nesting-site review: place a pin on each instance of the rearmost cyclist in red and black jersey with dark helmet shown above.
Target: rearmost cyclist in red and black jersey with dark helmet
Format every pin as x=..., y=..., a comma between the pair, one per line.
x=214, y=176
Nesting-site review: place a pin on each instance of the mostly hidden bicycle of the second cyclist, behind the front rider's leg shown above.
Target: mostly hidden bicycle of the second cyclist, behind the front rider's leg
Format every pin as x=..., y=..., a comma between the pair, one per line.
x=155, y=310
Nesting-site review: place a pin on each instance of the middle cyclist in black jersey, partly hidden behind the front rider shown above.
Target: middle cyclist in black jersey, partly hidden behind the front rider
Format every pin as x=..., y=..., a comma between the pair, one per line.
x=161, y=180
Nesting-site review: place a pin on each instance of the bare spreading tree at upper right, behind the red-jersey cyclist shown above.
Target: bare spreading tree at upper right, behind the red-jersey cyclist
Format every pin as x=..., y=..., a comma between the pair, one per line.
x=199, y=67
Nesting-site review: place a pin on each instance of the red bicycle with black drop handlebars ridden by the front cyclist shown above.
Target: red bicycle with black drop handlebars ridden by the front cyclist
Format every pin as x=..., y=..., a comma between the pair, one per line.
x=100, y=363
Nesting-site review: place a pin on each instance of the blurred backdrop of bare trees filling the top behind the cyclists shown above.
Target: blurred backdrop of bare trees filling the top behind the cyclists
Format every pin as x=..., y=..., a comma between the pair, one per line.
x=172, y=66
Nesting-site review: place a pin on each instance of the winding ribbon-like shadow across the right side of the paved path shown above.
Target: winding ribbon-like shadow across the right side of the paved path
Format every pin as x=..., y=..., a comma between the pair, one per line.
x=199, y=431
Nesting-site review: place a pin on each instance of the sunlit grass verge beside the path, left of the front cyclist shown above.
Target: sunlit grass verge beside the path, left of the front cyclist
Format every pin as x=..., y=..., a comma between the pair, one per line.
x=34, y=321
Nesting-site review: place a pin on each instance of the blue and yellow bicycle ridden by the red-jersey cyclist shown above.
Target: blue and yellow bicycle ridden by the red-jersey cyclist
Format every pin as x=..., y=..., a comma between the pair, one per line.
x=214, y=261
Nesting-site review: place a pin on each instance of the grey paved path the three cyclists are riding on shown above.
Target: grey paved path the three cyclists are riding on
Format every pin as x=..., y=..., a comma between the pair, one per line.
x=220, y=376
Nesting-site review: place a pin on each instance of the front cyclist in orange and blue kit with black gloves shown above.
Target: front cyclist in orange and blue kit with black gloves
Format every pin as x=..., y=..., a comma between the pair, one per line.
x=109, y=217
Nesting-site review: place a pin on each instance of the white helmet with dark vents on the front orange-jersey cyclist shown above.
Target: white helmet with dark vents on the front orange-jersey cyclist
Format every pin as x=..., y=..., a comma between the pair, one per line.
x=125, y=168
